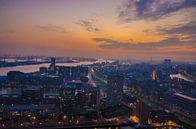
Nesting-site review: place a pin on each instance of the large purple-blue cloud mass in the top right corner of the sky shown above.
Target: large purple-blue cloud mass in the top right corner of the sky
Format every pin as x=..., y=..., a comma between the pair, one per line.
x=152, y=9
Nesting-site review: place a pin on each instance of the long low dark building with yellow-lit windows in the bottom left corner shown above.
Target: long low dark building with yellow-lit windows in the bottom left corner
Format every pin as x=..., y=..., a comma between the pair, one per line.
x=27, y=112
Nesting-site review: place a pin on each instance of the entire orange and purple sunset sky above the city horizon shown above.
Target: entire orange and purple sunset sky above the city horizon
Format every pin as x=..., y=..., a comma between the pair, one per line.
x=122, y=29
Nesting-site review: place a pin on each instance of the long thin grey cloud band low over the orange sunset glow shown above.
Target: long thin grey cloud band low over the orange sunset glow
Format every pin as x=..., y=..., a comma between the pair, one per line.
x=107, y=43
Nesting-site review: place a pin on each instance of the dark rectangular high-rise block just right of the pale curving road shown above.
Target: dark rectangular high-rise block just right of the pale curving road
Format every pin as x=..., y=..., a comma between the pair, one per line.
x=115, y=88
